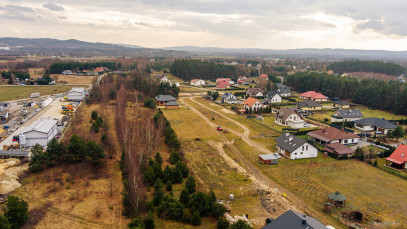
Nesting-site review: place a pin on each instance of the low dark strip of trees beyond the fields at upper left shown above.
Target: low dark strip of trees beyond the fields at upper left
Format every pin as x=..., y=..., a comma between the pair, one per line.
x=59, y=67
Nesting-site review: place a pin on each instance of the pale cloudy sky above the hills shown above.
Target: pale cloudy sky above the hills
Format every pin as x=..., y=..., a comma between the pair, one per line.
x=268, y=24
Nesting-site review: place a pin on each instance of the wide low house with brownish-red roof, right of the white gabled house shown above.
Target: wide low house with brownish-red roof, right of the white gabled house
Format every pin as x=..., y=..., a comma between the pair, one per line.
x=331, y=135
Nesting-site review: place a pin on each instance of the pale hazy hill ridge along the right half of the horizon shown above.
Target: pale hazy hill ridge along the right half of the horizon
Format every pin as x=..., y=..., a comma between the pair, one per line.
x=333, y=54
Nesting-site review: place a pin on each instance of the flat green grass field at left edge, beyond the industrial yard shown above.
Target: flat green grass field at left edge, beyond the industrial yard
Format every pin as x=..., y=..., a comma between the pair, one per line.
x=20, y=92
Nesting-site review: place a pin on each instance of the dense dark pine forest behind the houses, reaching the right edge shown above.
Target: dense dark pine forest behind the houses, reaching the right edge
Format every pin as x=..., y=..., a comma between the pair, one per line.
x=377, y=94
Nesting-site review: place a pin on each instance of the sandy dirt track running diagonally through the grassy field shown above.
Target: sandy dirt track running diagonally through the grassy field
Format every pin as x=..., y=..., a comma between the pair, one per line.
x=259, y=177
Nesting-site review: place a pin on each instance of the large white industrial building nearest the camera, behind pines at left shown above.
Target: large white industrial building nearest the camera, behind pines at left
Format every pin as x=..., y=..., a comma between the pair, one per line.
x=40, y=131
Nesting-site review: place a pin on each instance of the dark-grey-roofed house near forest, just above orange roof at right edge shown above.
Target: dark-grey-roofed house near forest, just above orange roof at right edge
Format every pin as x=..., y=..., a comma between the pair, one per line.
x=376, y=125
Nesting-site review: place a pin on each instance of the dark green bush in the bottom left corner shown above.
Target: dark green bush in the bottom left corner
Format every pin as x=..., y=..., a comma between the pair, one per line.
x=16, y=211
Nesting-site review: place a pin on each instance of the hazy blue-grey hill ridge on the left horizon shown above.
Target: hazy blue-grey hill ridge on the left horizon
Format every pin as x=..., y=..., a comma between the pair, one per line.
x=77, y=48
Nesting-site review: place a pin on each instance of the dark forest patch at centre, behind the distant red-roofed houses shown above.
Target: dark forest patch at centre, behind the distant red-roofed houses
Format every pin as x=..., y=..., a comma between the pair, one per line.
x=191, y=69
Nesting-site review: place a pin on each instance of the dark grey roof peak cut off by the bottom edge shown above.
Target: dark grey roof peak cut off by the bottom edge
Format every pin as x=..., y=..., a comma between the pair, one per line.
x=294, y=220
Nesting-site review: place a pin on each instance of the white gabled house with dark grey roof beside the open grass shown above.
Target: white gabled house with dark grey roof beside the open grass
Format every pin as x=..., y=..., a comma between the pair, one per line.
x=294, y=147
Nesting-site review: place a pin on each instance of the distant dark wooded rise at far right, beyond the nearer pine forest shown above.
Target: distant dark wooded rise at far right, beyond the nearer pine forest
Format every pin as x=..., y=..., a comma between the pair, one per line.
x=367, y=66
